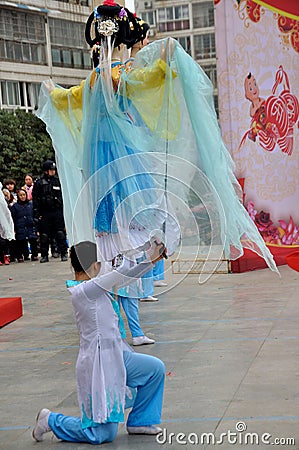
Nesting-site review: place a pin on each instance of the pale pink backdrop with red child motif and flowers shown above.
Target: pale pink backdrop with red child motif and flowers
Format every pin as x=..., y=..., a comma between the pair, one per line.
x=257, y=46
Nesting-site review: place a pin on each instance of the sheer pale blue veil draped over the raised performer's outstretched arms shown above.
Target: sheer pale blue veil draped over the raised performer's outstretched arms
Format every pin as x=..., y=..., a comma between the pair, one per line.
x=147, y=155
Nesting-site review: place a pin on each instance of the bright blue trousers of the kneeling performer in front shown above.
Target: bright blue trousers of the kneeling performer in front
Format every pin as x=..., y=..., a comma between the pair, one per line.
x=144, y=372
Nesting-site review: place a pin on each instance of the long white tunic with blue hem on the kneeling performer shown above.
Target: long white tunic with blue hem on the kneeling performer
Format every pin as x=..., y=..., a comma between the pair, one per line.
x=100, y=370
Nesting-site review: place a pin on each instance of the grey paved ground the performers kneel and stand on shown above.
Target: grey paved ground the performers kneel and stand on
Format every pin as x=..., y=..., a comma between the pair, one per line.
x=230, y=347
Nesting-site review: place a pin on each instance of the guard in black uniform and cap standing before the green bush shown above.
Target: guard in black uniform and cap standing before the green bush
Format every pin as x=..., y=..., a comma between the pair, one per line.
x=48, y=211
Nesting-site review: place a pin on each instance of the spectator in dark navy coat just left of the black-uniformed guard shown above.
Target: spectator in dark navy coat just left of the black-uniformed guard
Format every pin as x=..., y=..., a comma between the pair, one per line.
x=25, y=228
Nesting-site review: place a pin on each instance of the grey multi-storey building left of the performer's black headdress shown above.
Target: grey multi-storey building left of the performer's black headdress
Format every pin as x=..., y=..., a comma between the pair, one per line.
x=40, y=39
